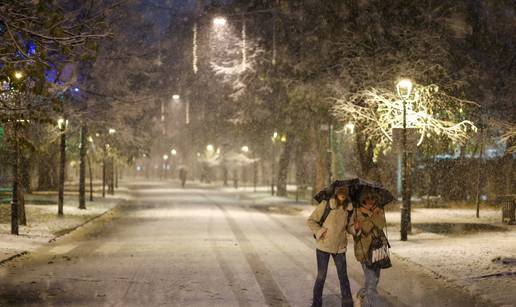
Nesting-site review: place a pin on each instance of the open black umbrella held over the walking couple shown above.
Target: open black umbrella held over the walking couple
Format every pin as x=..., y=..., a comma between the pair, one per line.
x=356, y=187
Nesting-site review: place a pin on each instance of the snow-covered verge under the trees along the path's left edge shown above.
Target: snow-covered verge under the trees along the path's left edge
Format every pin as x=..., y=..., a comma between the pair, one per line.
x=43, y=224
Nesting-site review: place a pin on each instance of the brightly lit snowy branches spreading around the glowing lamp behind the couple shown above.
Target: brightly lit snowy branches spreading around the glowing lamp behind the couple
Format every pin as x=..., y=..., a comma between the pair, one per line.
x=431, y=111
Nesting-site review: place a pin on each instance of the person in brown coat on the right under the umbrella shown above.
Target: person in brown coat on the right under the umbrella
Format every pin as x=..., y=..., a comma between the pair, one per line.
x=366, y=224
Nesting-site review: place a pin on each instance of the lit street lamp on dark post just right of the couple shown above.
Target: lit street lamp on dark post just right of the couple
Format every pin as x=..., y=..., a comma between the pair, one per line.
x=404, y=88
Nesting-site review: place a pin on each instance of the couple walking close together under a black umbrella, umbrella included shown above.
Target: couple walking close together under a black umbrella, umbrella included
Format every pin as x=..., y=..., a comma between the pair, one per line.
x=350, y=206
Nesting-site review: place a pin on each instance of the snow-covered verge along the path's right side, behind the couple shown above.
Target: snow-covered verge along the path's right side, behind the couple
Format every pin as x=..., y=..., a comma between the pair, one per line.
x=478, y=255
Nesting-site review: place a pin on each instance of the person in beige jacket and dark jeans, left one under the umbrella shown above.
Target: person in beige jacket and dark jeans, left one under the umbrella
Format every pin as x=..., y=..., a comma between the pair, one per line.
x=329, y=223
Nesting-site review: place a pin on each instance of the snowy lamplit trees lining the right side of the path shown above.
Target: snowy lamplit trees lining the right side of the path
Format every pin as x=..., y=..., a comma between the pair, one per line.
x=297, y=68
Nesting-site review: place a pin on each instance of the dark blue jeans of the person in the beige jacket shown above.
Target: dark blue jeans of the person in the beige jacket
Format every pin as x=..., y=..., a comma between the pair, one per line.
x=322, y=269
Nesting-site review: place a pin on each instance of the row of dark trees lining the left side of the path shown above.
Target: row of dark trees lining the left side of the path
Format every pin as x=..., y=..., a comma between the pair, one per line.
x=58, y=69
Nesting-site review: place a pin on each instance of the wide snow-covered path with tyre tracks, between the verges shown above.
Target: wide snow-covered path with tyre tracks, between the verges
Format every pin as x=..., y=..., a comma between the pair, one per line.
x=195, y=247
